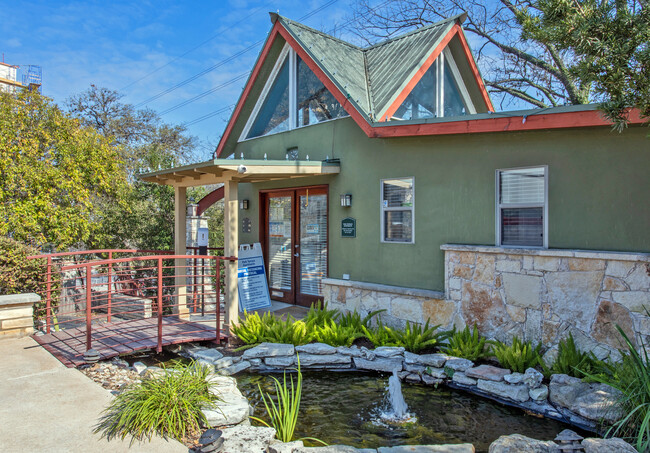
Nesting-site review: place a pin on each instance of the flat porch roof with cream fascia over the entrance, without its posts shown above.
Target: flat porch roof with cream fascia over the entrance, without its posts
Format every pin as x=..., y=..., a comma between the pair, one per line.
x=240, y=170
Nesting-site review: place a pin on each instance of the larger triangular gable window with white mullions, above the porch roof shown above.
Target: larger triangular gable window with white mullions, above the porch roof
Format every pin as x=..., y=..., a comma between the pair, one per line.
x=292, y=97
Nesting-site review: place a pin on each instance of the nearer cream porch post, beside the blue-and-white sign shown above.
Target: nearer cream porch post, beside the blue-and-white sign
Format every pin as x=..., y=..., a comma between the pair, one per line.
x=231, y=245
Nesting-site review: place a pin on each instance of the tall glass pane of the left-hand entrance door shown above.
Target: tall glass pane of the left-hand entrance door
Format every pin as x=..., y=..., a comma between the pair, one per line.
x=280, y=242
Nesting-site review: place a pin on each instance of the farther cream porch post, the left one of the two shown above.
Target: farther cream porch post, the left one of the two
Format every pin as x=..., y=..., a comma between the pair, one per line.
x=180, y=248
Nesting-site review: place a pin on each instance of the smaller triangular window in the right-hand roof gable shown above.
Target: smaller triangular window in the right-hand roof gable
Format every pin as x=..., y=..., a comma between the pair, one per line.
x=440, y=92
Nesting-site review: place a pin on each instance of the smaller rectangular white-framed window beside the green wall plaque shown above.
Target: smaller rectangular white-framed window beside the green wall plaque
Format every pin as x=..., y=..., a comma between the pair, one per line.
x=398, y=210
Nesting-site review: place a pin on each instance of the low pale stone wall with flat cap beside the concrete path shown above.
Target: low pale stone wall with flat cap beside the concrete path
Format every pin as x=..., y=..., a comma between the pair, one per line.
x=16, y=314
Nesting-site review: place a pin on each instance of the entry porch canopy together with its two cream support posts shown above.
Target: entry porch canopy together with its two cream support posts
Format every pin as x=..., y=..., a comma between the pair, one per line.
x=230, y=173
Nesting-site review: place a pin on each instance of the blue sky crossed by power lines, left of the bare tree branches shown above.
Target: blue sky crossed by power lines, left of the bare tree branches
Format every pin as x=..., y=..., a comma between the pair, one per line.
x=115, y=43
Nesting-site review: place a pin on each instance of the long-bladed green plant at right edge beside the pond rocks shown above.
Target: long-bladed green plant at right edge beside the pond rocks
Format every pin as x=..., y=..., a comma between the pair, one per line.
x=632, y=378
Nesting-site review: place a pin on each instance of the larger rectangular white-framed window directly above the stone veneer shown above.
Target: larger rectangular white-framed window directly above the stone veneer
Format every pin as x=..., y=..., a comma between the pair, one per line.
x=522, y=207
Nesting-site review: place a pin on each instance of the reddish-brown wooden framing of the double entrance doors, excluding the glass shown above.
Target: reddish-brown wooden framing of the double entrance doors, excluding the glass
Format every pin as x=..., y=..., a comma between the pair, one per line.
x=293, y=297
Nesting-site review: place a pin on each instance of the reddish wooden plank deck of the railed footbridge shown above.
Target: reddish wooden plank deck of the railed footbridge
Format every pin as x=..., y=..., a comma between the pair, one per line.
x=116, y=338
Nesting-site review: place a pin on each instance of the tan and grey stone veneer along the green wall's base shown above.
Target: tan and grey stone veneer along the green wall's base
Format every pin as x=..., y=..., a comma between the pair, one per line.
x=538, y=295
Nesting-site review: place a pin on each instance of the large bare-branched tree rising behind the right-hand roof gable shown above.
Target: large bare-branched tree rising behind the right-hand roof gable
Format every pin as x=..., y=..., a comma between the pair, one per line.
x=518, y=70
